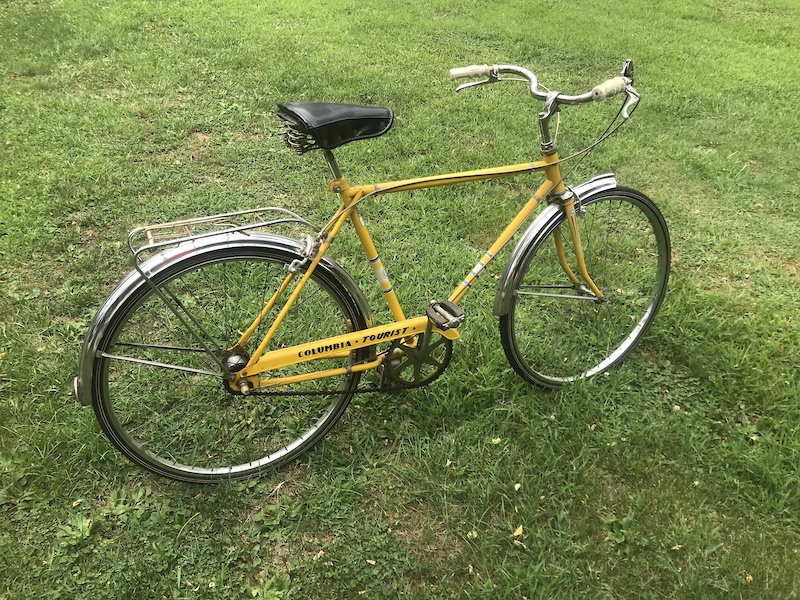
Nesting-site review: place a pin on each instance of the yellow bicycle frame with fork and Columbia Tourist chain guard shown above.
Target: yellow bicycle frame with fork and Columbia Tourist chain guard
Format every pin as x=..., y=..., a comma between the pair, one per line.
x=341, y=346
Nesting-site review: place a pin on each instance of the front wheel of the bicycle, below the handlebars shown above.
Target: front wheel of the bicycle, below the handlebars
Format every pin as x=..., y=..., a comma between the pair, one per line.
x=556, y=332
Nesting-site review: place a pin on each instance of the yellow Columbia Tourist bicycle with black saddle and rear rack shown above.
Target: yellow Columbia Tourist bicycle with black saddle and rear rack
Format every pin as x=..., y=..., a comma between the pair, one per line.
x=230, y=350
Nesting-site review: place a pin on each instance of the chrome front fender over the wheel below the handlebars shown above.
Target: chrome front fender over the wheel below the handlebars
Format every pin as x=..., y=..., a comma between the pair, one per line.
x=541, y=227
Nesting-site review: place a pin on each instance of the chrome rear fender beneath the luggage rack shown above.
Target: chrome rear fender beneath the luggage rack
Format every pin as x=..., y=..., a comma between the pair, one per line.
x=151, y=267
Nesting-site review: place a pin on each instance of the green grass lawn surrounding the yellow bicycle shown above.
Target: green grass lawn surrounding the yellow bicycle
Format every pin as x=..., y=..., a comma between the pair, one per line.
x=673, y=476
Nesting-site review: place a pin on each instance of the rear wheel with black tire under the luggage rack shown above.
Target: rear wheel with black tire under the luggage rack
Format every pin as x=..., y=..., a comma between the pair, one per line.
x=188, y=426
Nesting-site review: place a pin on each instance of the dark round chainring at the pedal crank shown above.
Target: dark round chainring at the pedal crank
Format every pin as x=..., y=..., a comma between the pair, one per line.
x=411, y=364
